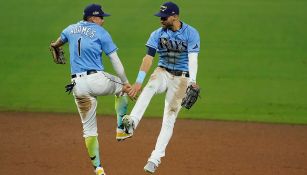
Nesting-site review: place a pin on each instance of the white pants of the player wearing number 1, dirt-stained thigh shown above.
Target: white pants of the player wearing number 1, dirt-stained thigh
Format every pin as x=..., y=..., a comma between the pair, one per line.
x=86, y=90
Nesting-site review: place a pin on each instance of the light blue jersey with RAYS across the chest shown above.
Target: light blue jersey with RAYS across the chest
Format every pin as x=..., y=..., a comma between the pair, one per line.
x=173, y=47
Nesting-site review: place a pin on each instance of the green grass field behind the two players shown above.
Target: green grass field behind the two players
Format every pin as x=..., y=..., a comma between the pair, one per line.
x=252, y=64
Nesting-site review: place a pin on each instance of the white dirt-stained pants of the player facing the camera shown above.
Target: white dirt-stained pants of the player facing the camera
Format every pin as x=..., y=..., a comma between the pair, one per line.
x=175, y=87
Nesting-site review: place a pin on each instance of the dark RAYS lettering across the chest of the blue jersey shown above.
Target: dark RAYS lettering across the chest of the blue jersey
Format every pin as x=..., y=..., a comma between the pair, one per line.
x=173, y=45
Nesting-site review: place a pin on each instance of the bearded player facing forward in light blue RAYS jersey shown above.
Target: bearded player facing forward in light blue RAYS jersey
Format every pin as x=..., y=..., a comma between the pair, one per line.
x=177, y=44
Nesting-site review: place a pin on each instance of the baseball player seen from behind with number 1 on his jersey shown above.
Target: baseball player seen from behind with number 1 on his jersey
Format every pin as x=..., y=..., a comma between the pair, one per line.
x=87, y=41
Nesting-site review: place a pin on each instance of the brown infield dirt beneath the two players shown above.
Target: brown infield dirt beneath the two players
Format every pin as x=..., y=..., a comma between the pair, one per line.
x=52, y=144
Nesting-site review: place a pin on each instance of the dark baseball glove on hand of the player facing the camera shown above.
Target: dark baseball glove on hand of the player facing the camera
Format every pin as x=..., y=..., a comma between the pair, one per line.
x=191, y=96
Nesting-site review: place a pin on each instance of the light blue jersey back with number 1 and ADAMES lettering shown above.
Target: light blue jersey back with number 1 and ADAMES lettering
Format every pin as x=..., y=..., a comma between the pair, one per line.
x=87, y=41
